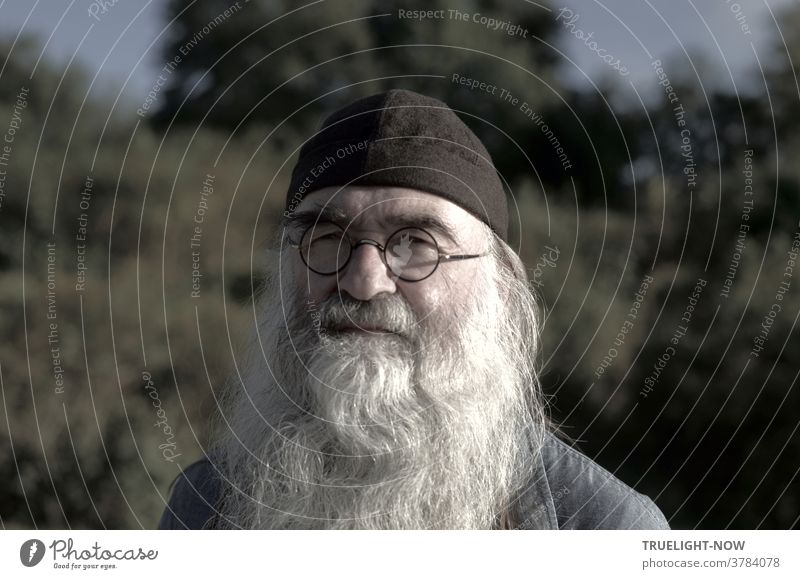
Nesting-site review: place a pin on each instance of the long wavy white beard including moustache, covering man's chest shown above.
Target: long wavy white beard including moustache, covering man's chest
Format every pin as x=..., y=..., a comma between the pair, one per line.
x=429, y=427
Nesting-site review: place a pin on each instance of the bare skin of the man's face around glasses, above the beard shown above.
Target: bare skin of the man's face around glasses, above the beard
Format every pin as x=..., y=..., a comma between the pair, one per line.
x=377, y=212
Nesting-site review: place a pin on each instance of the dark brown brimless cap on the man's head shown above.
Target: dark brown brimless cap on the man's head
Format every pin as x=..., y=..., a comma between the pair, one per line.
x=404, y=139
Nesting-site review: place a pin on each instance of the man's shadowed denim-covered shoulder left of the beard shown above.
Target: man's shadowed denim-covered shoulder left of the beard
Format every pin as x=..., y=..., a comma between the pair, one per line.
x=194, y=497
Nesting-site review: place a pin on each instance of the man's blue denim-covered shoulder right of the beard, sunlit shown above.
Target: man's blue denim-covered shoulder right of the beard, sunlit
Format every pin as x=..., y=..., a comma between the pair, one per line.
x=587, y=496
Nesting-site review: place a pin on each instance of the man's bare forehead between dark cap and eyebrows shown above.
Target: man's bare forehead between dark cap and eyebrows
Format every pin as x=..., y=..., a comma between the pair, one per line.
x=370, y=207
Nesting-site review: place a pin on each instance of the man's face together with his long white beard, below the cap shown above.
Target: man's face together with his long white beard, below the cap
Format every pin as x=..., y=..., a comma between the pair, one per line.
x=338, y=426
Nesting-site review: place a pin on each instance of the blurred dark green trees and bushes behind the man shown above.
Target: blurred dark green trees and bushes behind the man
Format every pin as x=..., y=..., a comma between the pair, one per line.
x=714, y=442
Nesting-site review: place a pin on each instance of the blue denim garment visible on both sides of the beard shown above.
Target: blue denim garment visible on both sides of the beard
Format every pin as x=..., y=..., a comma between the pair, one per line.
x=568, y=490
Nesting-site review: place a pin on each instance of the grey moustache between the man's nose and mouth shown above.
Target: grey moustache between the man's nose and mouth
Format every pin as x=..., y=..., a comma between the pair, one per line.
x=390, y=314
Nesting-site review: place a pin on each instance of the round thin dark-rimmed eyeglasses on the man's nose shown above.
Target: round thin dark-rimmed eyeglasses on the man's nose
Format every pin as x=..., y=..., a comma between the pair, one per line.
x=410, y=253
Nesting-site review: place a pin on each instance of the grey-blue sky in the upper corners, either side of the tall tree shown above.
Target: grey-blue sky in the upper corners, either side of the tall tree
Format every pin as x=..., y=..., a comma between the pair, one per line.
x=121, y=50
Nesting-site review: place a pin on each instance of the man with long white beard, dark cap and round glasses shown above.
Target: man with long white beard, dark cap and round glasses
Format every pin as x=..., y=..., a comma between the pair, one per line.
x=392, y=382
